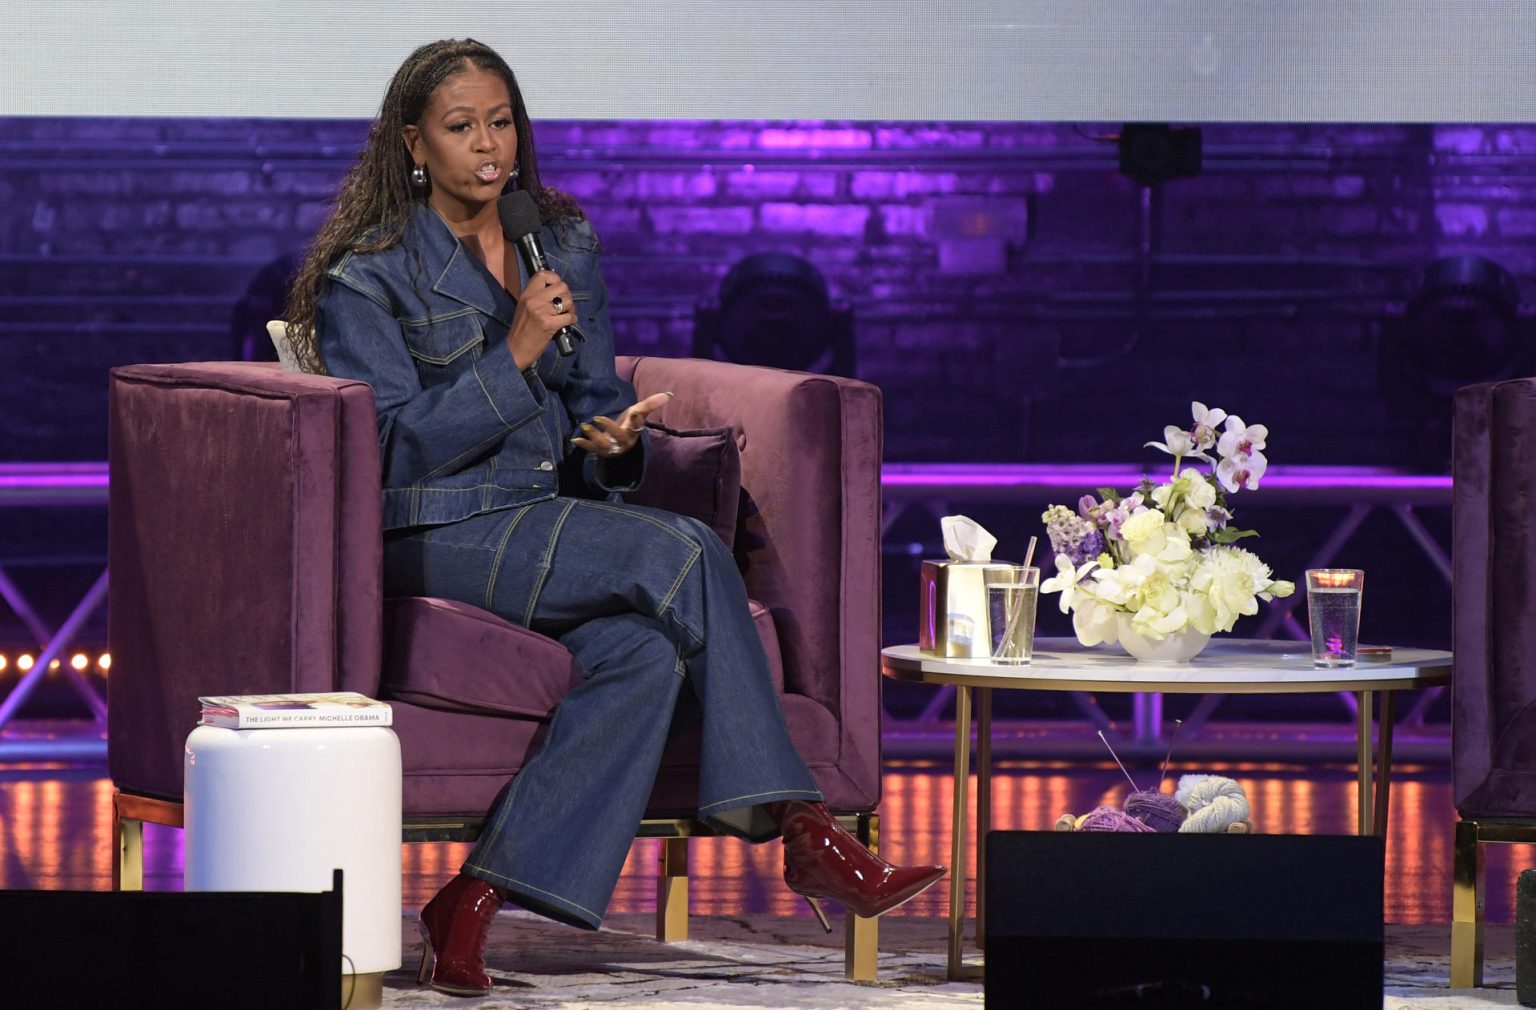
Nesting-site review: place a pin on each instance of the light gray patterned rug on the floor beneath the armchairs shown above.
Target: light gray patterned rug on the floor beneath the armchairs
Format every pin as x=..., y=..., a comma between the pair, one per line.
x=775, y=965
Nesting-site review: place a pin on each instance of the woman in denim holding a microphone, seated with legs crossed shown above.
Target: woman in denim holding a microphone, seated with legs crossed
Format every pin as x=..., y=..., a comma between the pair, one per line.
x=505, y=463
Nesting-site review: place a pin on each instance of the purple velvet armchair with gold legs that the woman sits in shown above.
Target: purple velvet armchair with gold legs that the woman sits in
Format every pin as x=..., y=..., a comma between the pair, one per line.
x=247, y=559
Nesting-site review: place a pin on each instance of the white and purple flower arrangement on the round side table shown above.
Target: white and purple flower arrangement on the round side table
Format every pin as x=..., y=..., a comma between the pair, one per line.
x=1165, y=555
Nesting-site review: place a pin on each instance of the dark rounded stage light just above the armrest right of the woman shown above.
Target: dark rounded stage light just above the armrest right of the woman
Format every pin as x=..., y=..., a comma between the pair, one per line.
x=775, y=311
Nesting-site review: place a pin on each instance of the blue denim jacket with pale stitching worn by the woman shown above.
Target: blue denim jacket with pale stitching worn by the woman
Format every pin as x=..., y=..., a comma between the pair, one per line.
x=462, y=429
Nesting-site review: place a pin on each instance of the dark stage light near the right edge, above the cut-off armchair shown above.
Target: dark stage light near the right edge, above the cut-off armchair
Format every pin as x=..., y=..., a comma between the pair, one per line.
x=1463, y=325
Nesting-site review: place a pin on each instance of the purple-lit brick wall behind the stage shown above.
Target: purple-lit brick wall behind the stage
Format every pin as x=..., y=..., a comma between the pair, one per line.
x=1076, y=335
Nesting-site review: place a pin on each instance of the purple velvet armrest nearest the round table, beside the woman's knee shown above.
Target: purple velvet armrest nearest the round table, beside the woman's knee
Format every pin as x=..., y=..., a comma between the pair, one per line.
x=809, y=533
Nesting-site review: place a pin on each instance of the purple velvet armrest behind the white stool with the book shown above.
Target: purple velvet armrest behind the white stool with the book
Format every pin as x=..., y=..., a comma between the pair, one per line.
x=243, y=544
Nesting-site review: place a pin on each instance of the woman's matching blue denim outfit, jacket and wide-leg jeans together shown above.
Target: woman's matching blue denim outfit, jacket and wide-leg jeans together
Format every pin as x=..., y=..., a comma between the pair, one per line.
x=486, y=501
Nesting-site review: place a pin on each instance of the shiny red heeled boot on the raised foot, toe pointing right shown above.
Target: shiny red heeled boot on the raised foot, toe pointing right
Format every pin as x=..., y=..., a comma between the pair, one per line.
x=821, y=860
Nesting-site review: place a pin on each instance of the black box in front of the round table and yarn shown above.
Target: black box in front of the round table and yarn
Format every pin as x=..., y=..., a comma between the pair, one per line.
x=1087, y=920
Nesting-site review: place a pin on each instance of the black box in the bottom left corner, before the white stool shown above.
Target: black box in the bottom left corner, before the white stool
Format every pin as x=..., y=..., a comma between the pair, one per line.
x=91, y=949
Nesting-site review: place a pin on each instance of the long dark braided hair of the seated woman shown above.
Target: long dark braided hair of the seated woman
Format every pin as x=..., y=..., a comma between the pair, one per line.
x=377, y=199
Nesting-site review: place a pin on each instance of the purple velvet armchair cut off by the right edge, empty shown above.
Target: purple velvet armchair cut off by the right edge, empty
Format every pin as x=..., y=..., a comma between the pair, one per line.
x=1494, y=688
